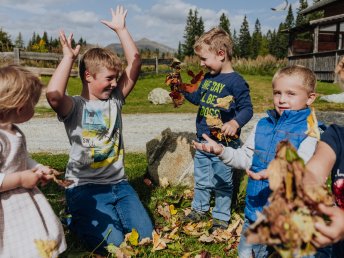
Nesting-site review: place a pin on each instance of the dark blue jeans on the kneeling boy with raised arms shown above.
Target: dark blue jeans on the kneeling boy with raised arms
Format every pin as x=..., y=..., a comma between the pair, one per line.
x=106, y=212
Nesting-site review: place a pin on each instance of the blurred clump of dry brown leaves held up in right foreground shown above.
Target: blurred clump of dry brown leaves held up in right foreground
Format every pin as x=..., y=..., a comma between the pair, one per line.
x=288, y=222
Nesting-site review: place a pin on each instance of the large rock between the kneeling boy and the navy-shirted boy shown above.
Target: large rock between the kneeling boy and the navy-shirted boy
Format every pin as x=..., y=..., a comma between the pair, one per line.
x=170, y=158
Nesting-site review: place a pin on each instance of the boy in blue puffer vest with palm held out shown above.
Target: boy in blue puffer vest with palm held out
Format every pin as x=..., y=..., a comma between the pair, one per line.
x=293, y=93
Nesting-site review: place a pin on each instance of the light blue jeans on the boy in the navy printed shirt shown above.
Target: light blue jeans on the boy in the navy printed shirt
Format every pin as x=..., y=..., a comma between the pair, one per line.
x=212, y=175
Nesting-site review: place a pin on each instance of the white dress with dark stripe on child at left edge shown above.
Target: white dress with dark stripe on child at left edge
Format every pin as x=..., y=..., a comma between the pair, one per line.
x=26, y=217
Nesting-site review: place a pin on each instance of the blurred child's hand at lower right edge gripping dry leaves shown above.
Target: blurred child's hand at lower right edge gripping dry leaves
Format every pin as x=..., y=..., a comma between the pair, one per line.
x=332, y=232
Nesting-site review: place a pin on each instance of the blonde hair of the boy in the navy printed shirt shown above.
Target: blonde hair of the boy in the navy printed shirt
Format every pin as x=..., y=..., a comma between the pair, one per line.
x=215, y=39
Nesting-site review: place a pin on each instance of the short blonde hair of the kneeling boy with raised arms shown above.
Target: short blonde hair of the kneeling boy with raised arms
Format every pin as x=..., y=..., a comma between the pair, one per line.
x=97, y=58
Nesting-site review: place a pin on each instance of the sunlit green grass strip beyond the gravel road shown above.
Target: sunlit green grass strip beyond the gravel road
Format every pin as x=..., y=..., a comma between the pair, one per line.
x=137, y=101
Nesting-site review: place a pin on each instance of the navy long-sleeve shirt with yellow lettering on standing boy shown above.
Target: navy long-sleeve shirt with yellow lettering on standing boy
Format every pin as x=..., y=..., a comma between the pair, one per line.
x=217, y=86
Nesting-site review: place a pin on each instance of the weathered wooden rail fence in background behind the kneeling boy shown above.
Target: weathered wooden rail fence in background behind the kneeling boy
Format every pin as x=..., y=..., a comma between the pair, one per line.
x=20, y=55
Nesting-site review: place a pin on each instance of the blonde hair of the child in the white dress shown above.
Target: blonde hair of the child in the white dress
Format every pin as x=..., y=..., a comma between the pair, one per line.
x=18, y=87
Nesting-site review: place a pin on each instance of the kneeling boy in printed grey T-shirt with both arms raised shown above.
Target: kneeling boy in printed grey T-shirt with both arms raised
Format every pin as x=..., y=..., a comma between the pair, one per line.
x=102, y=203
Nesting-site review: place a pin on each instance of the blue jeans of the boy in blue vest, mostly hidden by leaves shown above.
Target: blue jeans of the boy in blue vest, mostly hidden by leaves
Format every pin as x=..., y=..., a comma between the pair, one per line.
x=245, y=249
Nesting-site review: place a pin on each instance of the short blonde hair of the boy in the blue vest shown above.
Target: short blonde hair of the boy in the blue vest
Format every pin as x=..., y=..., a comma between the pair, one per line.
x=306, y=76
